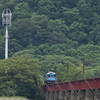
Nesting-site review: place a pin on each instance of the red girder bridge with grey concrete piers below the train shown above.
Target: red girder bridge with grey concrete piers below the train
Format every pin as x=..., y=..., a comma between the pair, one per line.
x=87, y=89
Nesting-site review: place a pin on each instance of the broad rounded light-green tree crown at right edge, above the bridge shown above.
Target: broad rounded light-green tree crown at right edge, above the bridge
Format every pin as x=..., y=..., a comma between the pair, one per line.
x=91, y=53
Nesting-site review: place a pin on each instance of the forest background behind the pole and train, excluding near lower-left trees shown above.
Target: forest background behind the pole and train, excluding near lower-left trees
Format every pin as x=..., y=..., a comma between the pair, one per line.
x=59, y=33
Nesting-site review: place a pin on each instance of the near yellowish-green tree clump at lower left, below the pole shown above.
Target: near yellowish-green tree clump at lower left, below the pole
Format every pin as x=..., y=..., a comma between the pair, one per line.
x=19, y=76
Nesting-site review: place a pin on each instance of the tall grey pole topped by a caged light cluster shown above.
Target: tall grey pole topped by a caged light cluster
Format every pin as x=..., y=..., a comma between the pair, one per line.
x=6, y=21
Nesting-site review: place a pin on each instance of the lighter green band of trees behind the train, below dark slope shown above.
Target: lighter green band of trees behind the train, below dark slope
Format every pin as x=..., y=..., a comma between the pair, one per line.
x=56, y=56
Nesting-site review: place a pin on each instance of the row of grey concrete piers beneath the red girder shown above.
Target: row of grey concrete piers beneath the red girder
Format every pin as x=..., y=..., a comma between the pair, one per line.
x=74, y=95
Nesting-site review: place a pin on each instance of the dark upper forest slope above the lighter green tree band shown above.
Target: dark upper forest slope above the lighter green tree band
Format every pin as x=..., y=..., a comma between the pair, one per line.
x=35, y=22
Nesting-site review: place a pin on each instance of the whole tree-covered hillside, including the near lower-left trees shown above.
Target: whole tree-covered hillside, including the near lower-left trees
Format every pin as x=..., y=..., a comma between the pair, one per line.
x=58, y=35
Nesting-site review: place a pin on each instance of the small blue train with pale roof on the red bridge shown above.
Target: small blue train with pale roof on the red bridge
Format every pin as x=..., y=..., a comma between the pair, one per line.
x=50, y=77
